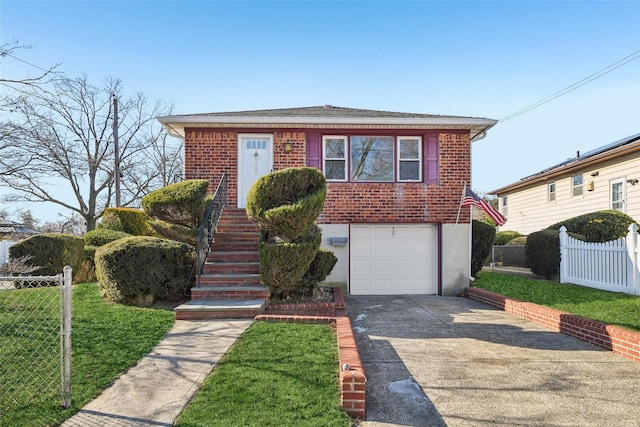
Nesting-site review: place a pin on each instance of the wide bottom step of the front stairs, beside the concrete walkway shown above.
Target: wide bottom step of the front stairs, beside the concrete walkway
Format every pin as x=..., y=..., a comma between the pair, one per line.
x=220, y=309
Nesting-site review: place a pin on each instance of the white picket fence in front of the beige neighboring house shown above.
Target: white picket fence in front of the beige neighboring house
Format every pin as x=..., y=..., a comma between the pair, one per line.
x=611, y=266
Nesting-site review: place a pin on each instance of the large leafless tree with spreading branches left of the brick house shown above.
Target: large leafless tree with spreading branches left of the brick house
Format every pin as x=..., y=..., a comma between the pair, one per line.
x=62, y=137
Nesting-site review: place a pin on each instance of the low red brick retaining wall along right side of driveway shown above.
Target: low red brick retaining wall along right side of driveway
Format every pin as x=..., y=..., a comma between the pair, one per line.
x=622, y=341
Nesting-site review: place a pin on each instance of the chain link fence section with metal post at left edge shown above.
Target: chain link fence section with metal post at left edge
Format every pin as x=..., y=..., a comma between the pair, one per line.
x=35, y=339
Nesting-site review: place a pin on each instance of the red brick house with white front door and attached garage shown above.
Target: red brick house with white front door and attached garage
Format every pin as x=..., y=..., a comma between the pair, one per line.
x=394, y=184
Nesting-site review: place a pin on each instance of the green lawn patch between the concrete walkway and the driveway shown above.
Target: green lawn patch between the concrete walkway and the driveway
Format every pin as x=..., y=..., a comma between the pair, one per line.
x=276, y=374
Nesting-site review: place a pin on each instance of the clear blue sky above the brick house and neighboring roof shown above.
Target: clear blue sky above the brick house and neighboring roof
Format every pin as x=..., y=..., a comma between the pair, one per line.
x=478, y=58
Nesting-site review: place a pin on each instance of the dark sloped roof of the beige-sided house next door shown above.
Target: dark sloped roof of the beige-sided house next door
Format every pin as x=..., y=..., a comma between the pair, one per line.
x=604, y=152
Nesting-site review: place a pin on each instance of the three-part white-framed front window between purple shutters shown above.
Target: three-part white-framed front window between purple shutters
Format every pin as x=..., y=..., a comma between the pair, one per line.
x=372, y=158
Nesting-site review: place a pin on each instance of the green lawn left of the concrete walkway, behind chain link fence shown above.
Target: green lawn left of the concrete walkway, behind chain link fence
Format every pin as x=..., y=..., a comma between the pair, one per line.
x=107, y=339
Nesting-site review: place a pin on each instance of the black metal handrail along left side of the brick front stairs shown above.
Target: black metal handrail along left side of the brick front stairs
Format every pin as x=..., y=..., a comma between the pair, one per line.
x=207, y=230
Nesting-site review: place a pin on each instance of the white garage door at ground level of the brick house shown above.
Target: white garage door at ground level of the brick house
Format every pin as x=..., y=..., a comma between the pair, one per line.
x=388, y=259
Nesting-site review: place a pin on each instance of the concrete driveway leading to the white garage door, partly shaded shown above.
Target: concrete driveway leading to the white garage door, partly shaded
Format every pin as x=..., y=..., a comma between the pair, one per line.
x=451, y=361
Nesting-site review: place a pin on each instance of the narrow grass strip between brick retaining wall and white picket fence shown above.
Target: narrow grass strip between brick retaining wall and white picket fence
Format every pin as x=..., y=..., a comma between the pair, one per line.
x=608, y=307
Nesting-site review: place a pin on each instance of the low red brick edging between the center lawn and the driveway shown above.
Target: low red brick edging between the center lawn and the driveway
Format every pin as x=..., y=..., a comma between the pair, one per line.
x=352, y=379
